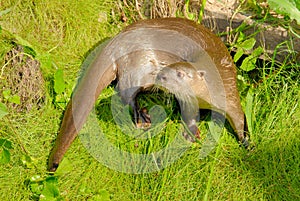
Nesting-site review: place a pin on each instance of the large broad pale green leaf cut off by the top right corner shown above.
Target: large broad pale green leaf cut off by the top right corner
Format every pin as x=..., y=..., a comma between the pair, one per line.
x=286, y=7
